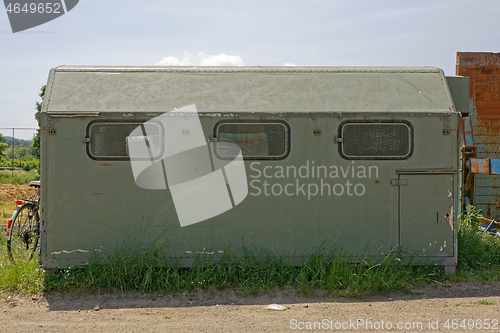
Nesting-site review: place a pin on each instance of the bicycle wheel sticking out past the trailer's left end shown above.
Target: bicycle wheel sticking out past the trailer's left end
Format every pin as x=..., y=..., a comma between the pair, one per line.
x=24, y=233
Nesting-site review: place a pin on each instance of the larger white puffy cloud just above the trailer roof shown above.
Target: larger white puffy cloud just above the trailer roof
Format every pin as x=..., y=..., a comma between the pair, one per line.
x=202, y=59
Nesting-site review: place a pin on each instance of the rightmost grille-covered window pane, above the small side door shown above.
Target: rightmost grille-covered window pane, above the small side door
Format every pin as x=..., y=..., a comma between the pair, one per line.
x=376, y=140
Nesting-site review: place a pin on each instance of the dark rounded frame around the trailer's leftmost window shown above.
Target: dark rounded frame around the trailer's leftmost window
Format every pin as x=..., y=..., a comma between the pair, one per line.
x=137, y=122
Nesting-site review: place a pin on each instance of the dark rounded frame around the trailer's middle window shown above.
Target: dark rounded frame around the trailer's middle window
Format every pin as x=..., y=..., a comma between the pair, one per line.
x=288, y=142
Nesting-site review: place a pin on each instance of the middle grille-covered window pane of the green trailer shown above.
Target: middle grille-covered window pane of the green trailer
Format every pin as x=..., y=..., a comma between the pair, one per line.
x=257, y=140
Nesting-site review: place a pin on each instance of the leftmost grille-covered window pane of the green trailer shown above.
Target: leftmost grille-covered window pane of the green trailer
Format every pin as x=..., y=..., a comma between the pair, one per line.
x=108, y=140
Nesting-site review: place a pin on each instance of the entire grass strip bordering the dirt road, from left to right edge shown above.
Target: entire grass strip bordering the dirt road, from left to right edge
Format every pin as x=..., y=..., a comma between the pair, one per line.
x=148, y=270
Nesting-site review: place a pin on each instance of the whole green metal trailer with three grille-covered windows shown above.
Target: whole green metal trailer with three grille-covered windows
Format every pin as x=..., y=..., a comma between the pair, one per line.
x=363, y=159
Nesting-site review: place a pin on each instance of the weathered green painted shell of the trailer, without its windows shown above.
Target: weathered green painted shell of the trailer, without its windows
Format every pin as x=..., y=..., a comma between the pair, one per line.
x=410, y=203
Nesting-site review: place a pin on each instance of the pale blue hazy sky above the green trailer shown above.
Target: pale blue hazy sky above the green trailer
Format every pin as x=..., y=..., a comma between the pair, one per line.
x=250, y=33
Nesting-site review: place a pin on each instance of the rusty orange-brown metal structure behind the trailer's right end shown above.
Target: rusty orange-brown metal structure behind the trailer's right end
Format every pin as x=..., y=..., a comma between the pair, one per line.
x=482, y=127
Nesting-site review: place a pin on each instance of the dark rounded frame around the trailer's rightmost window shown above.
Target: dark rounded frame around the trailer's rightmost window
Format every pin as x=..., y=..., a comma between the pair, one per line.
x=381, y=122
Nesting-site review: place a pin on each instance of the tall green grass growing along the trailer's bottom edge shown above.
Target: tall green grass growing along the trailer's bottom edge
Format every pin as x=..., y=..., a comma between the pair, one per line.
x=149, y=270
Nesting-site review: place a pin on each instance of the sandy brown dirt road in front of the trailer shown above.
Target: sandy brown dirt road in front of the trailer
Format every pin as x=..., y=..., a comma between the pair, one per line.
x=428, y=309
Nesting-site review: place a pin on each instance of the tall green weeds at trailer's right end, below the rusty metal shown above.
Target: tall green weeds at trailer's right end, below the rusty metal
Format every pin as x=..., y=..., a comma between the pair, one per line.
x=478, y=252
